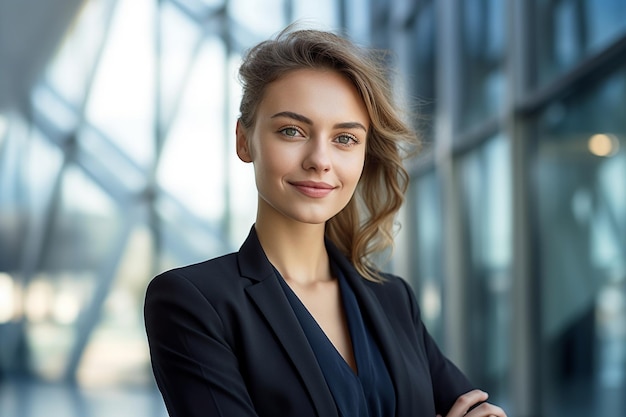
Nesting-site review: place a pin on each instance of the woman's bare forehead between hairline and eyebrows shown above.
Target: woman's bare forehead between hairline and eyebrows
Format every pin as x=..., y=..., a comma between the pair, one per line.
x=314, y=92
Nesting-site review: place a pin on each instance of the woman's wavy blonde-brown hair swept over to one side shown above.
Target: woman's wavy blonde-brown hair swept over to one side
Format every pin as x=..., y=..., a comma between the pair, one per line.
x=365, y=226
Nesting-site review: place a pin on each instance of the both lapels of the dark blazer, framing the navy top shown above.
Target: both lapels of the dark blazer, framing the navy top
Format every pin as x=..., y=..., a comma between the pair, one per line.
x=268, y=295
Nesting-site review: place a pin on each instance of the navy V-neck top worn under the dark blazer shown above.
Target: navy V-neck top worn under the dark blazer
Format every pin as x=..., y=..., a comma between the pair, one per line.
x=369, y=392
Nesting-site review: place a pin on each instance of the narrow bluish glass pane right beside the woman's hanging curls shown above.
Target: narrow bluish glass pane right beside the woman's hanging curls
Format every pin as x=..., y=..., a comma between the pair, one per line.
x=428, y=262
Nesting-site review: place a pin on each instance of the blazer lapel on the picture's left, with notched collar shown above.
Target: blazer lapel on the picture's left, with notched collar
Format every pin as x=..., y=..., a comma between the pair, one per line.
x=270, y=298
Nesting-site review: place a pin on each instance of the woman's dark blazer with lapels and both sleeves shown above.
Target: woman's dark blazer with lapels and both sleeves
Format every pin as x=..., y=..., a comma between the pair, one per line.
x=225, y=342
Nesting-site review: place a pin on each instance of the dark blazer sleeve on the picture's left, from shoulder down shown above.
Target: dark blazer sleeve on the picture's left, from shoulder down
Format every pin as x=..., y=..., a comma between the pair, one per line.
x=194, y=365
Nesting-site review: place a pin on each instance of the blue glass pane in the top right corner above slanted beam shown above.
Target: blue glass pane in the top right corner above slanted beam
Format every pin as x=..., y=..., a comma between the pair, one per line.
x=570, y=30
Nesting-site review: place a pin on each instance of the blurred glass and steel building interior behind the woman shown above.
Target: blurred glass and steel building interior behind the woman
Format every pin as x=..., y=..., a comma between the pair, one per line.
x=117, y=162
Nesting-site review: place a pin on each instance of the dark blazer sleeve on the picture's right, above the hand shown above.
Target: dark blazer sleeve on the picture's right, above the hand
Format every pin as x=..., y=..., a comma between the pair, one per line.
x=448, y=382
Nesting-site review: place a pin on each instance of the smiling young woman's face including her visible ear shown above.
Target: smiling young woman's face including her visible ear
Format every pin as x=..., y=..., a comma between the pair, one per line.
x=307, y=145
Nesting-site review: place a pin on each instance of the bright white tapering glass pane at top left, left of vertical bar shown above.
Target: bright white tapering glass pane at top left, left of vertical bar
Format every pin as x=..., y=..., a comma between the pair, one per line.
x=122, y=100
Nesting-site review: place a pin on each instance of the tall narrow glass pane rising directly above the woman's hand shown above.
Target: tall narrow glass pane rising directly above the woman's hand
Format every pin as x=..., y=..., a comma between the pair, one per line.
x=485, y=181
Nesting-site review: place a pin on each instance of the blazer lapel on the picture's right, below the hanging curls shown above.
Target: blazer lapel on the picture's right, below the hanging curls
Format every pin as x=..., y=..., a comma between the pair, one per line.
x=381, y=329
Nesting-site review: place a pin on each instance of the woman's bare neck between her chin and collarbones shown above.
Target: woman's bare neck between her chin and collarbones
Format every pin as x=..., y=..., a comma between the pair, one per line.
x=296, y=249
